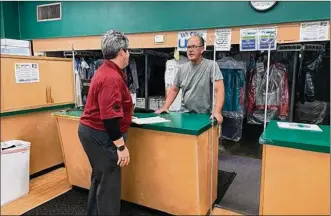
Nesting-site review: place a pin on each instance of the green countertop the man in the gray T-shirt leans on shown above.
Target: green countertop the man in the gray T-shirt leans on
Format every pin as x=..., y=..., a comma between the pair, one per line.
x=183, y=123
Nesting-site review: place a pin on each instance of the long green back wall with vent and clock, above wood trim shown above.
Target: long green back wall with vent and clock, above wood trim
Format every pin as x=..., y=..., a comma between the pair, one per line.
x=94, y=18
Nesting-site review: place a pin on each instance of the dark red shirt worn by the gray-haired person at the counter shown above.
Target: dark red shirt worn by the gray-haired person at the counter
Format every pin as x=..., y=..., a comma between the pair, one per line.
x=108, y=98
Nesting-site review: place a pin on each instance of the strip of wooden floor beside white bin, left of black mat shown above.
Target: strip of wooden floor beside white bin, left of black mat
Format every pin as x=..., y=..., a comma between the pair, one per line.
x=42, y=189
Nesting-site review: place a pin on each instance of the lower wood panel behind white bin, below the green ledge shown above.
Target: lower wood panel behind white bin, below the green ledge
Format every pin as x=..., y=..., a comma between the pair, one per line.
x=41, y=130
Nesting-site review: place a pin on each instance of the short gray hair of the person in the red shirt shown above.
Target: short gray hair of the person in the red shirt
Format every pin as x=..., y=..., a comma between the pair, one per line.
x=112, y=42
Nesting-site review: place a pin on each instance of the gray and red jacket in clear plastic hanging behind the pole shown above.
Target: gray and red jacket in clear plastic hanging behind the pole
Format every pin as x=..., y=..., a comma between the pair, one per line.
x=278, y=95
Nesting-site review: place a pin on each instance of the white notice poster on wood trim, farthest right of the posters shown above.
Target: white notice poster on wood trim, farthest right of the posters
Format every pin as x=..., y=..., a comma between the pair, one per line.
x=314, y=31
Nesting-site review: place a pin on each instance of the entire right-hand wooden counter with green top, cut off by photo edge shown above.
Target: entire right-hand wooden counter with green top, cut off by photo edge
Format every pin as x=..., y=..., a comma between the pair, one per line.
x=295, y=171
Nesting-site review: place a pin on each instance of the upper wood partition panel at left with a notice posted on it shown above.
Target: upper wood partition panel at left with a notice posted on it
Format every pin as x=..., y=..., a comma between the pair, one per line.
x=55, y=86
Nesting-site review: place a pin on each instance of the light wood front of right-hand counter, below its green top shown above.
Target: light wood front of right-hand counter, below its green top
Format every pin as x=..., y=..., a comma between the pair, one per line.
x=294, y=182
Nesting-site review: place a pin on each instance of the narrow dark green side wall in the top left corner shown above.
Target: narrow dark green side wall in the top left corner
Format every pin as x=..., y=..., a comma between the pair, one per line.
x=9, y=20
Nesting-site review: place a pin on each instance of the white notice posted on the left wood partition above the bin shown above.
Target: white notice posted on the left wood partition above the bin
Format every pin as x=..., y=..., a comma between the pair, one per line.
x=26, y=72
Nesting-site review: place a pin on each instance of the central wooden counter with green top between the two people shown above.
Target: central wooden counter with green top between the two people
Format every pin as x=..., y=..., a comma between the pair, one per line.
x=171, y=163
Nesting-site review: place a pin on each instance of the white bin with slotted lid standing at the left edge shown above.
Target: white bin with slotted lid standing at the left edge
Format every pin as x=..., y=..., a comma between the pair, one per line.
x=15, y=173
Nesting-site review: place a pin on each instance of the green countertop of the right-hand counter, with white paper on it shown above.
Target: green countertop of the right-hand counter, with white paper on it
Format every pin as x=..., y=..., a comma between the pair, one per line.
x=316, y=141
